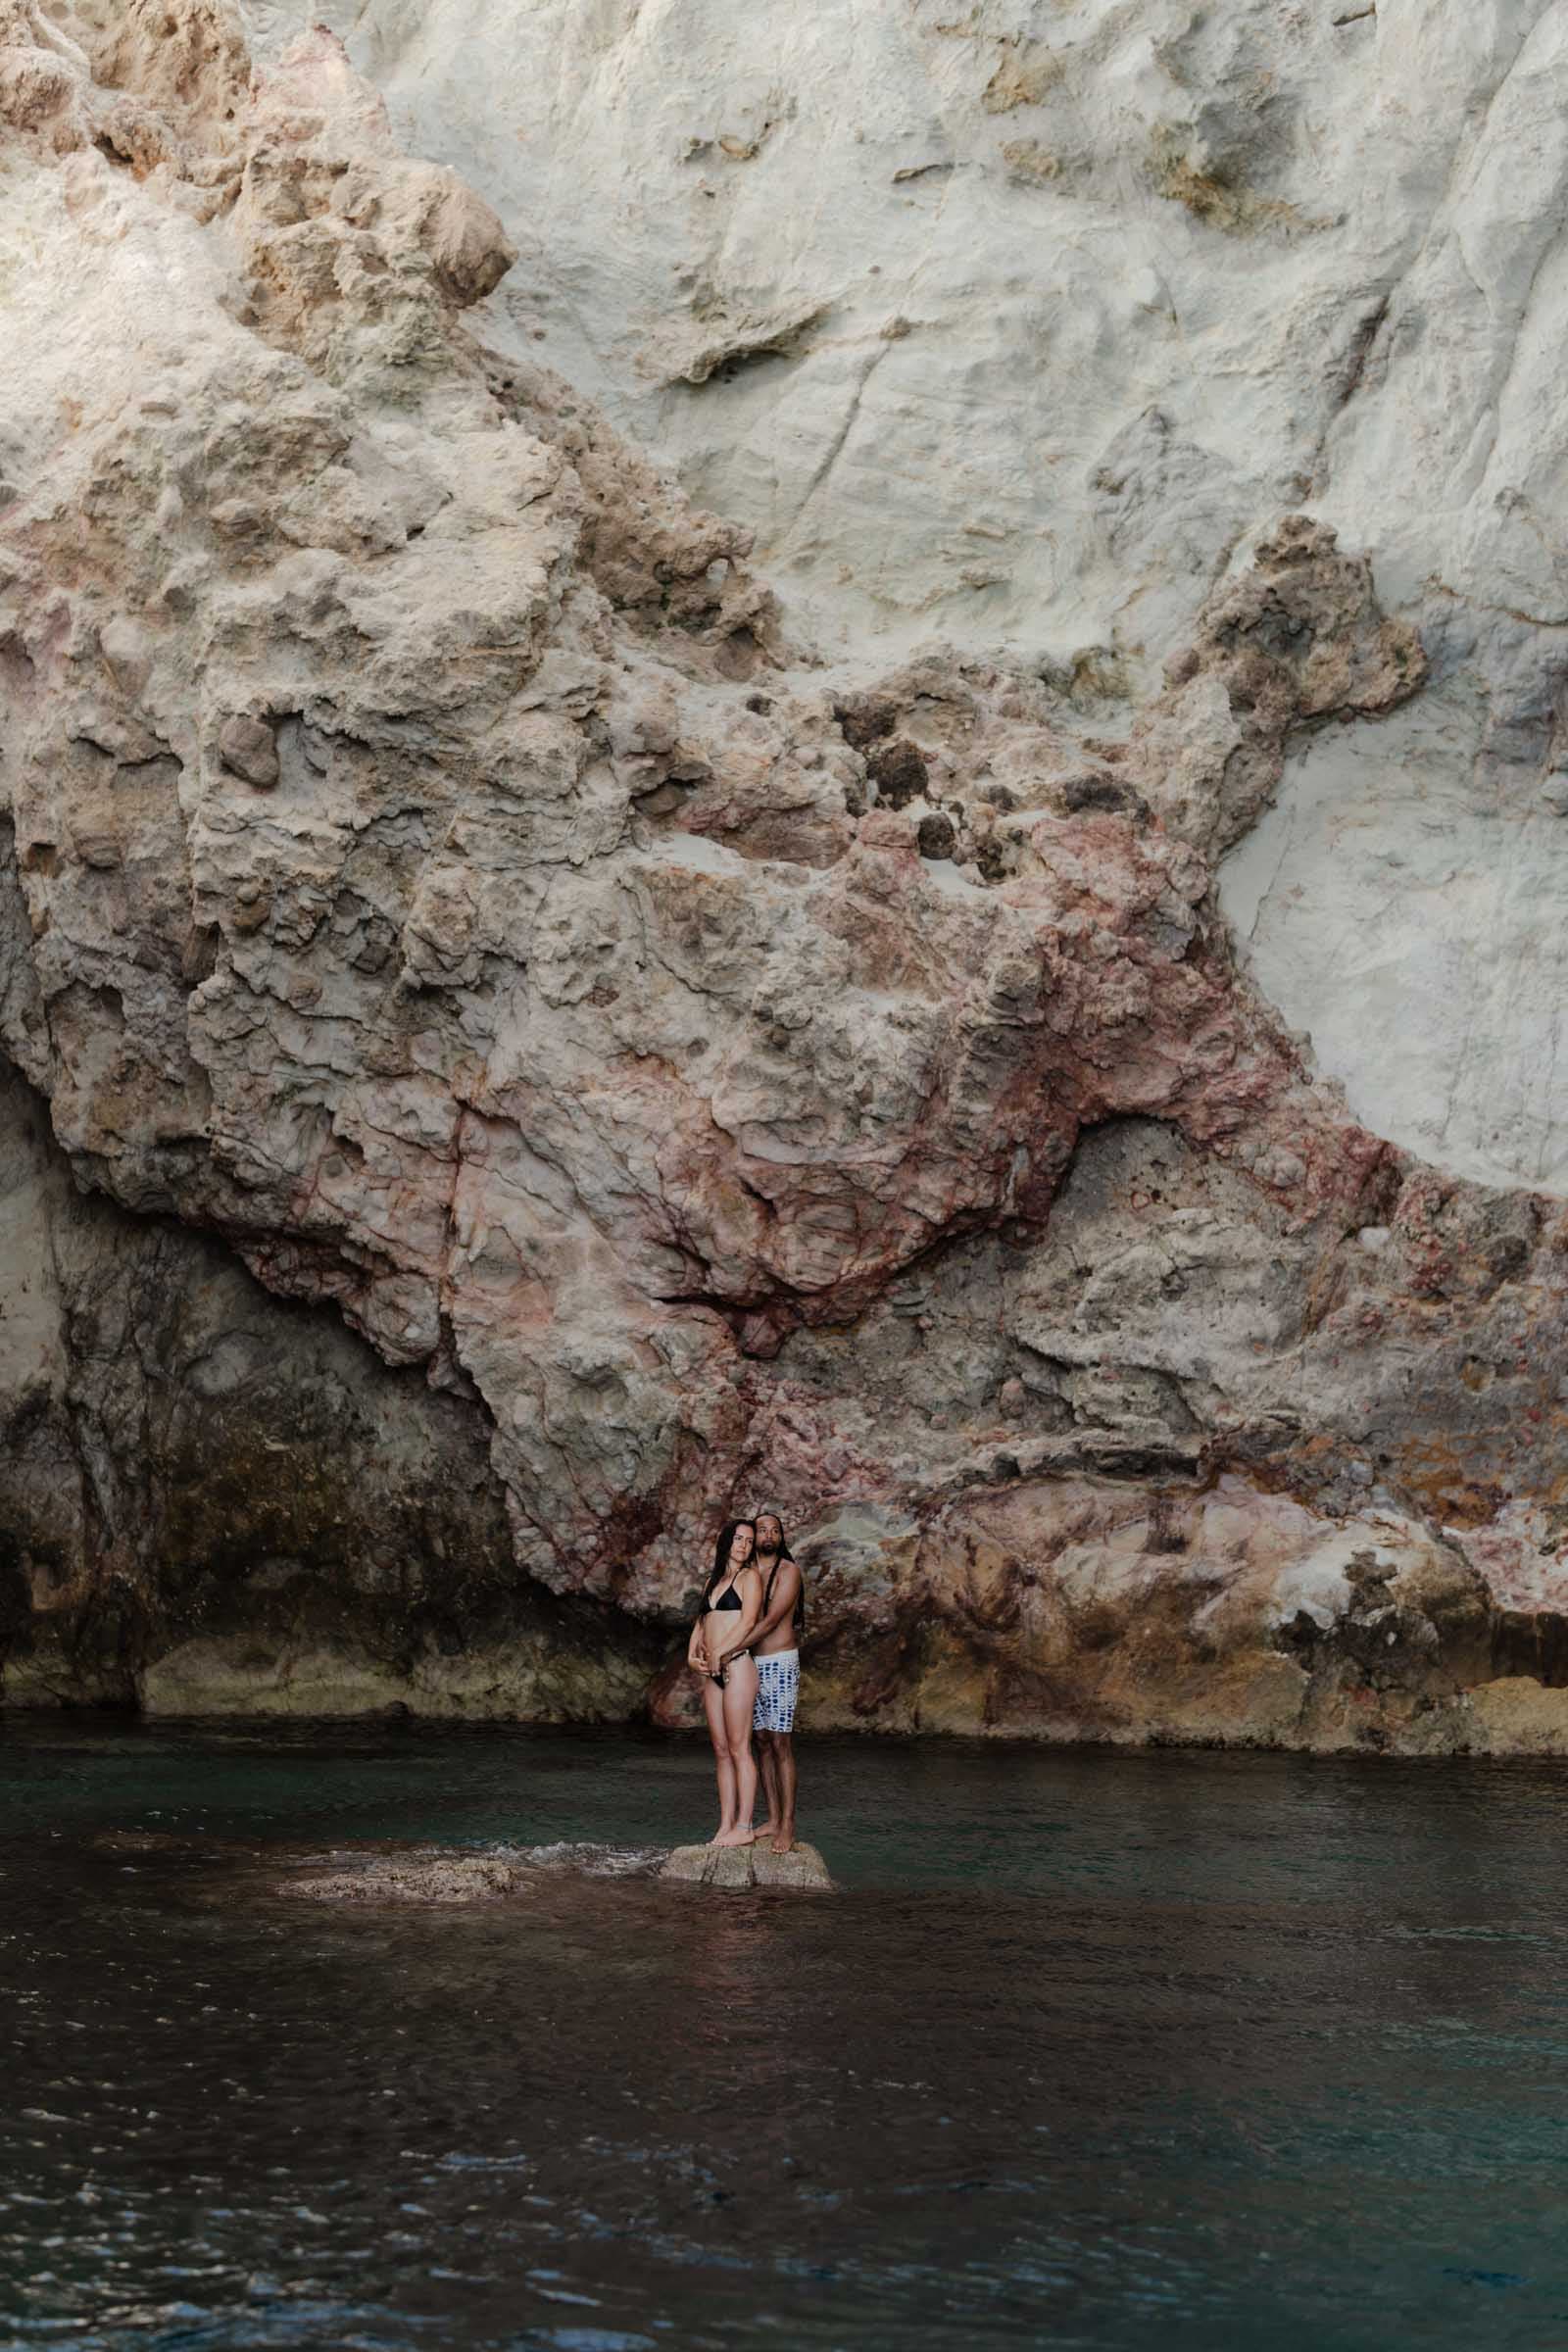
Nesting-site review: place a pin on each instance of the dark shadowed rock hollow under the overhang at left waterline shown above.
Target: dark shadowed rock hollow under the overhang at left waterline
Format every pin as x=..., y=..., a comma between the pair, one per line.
x=217, y=1502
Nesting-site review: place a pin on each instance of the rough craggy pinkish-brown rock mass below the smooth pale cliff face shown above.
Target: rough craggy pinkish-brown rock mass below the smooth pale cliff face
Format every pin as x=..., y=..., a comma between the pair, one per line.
x=436, y=874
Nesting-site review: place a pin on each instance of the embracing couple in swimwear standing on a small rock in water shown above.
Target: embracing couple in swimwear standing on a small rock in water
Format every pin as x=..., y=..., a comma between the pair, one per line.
x=746, y=1650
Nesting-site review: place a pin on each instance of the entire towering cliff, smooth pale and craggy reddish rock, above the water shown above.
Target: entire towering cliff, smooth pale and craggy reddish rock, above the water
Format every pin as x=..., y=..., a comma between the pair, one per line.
x=744, y=994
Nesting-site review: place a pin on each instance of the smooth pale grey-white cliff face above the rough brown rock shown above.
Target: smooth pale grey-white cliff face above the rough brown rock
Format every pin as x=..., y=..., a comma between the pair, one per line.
x=1019, y=321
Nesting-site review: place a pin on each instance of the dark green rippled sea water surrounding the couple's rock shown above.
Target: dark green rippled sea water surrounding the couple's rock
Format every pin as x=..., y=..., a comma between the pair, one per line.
x=1090, y=2052
